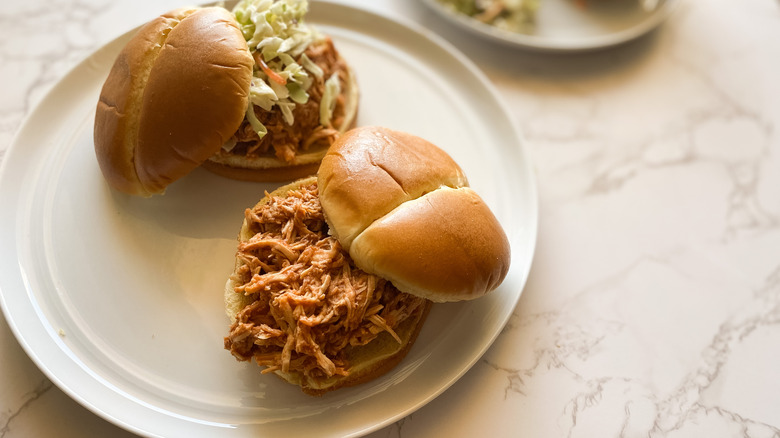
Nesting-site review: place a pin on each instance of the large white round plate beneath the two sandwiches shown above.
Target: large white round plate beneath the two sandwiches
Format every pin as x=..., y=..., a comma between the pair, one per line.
x=119, y=299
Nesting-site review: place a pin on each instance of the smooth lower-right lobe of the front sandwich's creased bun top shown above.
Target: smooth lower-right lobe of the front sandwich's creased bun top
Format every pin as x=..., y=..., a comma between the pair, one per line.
x=444, y=246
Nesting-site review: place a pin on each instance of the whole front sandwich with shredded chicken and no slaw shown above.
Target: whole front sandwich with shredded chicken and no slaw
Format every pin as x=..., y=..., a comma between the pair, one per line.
x=335, y=274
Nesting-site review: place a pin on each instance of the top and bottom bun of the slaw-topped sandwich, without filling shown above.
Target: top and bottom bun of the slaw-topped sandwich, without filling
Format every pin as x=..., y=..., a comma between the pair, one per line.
x=178, y=93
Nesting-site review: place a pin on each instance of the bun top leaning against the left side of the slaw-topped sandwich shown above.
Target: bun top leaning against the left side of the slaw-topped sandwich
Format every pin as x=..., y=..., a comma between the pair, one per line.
x=176, y=93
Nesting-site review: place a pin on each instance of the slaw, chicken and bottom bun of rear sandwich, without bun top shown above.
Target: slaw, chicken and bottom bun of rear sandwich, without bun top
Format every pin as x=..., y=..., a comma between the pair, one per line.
x=302, y=95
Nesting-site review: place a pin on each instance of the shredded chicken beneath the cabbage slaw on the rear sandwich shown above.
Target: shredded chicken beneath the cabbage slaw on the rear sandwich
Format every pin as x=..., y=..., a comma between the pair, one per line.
x=285, y=141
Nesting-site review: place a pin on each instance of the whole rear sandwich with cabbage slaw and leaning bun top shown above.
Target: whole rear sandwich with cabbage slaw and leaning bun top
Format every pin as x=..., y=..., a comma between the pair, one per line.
x=255, y=93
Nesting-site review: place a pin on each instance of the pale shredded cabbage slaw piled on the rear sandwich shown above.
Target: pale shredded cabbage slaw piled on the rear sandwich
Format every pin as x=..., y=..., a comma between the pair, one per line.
x=275, y=32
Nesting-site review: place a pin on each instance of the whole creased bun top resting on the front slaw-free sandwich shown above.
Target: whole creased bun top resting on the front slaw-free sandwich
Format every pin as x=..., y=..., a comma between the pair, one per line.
x=403, y=209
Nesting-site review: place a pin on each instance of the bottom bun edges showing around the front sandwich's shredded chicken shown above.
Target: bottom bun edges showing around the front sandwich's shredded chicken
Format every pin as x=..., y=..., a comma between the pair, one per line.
x=367, y=362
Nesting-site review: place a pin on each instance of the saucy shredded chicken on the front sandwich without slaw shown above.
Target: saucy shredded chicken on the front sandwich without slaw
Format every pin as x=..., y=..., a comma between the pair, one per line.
x=309, y=300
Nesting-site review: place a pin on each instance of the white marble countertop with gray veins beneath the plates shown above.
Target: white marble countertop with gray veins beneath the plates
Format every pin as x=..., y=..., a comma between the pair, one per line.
x=653, y=305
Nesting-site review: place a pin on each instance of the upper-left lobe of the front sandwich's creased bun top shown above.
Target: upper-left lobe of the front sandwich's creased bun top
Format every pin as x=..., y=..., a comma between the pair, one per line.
x=371, y=170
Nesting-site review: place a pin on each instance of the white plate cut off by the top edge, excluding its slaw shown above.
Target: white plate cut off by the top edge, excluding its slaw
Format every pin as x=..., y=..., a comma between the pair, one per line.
x=568, y=26
